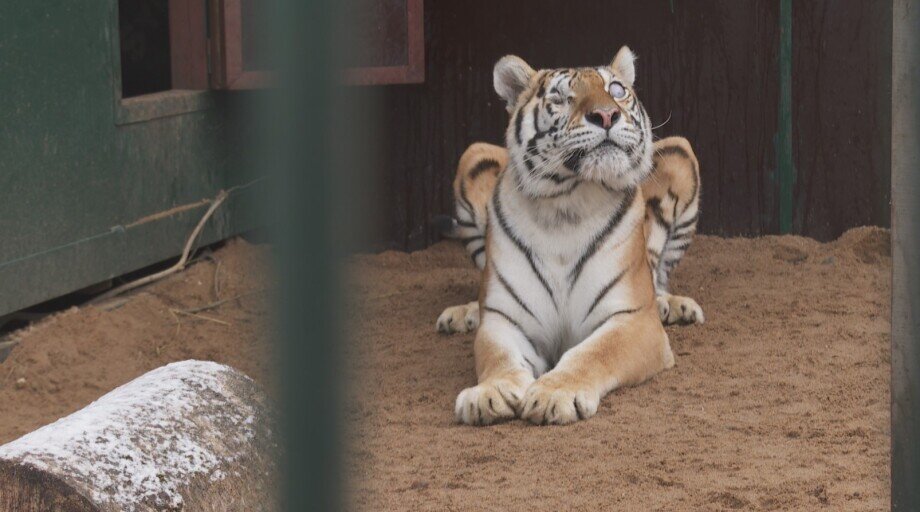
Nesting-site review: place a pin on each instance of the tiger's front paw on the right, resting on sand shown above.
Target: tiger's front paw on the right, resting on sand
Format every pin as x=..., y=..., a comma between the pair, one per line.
x=550, y=402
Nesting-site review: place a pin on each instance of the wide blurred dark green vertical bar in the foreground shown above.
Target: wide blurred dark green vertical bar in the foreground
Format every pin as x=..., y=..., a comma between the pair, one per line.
x=296, y=132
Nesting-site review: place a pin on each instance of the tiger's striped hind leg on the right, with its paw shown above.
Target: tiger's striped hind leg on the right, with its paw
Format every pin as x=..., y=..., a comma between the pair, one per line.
x=672, y=195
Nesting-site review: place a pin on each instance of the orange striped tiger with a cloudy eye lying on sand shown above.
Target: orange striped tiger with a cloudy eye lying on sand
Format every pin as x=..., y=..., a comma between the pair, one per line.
x=576, y=228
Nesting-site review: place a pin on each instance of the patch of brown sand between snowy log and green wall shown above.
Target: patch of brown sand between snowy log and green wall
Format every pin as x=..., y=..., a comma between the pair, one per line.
x=64, y=362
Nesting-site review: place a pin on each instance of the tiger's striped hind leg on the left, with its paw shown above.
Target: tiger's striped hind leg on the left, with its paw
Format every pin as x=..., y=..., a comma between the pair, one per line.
x=474, y=183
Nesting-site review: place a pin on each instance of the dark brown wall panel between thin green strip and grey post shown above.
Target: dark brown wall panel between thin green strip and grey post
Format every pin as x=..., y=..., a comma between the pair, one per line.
x=842, y=115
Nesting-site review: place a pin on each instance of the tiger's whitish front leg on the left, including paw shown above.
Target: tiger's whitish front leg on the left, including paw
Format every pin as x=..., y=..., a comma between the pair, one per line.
x=505, y=366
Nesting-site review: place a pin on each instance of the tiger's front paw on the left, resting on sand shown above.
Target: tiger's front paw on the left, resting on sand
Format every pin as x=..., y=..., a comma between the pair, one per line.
x=489, y=402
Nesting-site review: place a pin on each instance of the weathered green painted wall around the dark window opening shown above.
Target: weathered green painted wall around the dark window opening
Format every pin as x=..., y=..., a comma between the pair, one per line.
x=76, y=173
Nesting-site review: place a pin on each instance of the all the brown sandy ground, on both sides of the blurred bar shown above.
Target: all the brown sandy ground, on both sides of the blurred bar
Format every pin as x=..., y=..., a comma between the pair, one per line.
x=779, y=402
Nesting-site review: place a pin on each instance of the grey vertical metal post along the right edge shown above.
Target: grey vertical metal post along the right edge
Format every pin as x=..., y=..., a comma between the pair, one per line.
x=905, y=321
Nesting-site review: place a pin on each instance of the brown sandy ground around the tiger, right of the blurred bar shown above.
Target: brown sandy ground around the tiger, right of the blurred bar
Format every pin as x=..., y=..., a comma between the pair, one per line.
x=779, y=402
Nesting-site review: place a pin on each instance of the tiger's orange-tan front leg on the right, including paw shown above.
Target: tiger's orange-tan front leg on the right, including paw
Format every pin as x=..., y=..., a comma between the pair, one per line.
x=624, y=351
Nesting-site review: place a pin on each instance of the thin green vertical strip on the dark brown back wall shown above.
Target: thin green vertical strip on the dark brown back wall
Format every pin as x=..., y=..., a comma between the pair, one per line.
x=784, y=162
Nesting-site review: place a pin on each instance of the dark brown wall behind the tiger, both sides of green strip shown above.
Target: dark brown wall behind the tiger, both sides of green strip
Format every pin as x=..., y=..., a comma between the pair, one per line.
x=709, y=66
